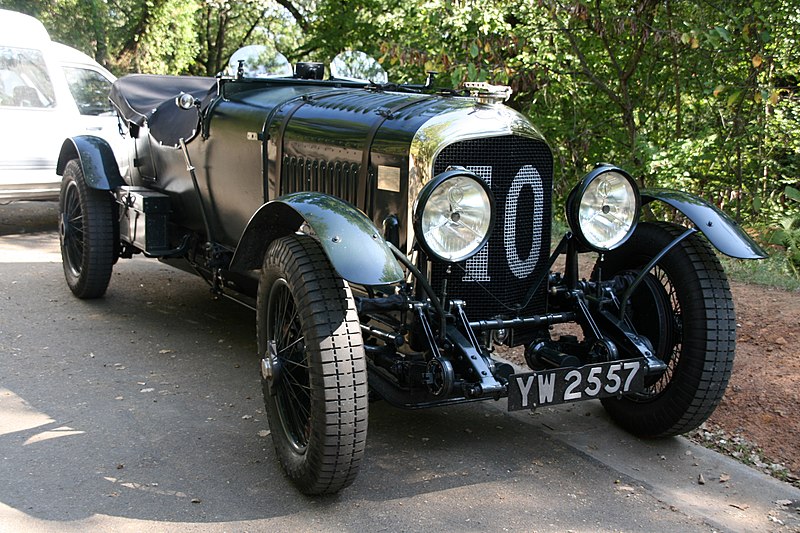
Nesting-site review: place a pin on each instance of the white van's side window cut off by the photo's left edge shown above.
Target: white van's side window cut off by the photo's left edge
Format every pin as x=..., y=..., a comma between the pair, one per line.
x=24, y=81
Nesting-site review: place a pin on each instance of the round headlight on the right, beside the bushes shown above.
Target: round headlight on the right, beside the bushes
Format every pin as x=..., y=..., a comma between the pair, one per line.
x=603, y=209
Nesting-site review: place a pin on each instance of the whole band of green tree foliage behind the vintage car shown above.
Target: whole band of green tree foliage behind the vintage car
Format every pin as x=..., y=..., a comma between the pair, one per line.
x=698, y=96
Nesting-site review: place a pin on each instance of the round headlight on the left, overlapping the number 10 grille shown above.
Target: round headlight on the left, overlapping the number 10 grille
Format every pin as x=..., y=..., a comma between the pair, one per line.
x=454, y=215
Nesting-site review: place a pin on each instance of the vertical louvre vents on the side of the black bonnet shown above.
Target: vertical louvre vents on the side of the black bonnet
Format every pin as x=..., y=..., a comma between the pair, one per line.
x=335, y=178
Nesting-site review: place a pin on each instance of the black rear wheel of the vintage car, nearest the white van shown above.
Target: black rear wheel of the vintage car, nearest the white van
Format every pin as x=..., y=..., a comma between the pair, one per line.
x=86, y=233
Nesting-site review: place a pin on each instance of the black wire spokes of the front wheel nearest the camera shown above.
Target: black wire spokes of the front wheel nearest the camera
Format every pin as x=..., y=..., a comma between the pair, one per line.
x=291, y=380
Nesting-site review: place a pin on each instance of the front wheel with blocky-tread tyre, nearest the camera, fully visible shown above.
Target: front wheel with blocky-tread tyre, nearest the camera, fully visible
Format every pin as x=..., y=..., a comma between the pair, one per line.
x=314, y=374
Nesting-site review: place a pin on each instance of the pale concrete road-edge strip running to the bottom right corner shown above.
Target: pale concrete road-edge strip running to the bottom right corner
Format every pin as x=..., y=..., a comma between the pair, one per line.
x=693, y=480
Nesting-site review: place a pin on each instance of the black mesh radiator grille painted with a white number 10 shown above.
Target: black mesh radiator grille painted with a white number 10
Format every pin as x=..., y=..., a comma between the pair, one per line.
x=520, y=172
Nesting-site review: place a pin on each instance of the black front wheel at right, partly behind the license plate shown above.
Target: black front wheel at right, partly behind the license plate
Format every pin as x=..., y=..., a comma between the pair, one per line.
x=685, y=308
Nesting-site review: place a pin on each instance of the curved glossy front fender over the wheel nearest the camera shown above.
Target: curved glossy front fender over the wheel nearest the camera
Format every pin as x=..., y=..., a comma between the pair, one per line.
x=352, y=243
